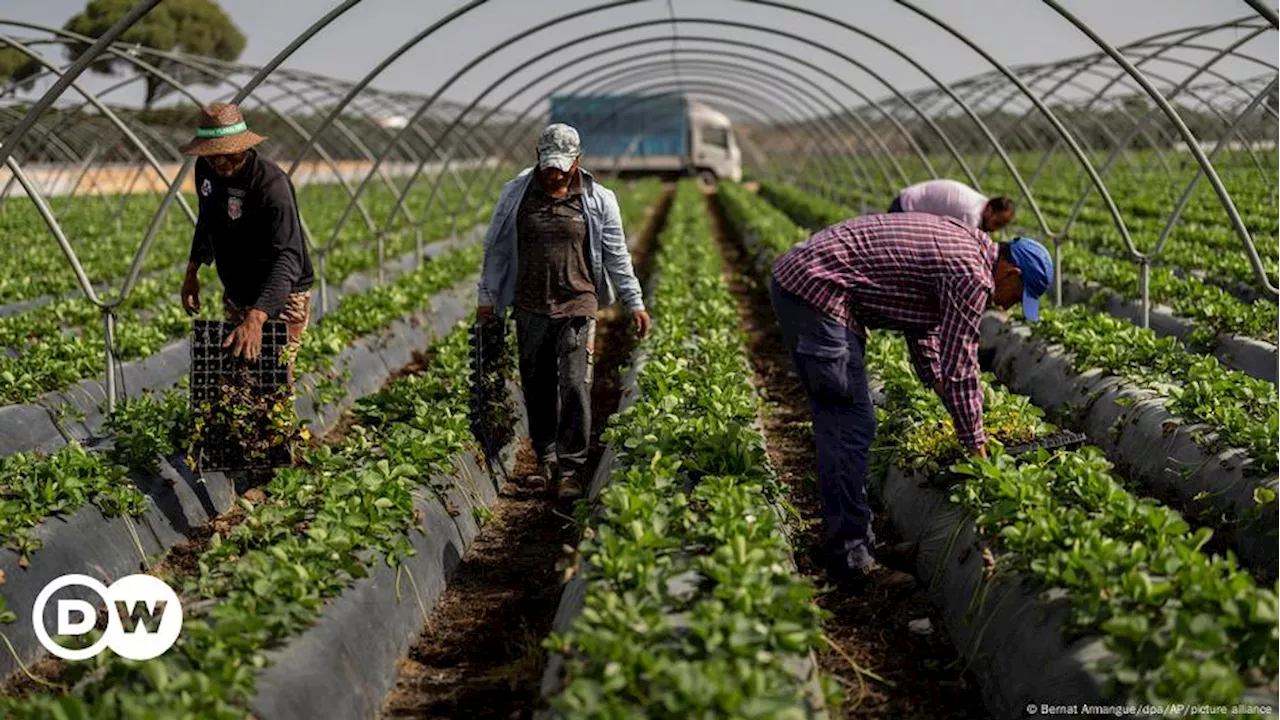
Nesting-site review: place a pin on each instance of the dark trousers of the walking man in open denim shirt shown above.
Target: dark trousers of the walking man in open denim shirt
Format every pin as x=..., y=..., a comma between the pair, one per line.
x=556, y=359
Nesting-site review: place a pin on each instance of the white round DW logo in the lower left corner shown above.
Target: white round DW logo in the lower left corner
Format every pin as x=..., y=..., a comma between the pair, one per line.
x=143, y=622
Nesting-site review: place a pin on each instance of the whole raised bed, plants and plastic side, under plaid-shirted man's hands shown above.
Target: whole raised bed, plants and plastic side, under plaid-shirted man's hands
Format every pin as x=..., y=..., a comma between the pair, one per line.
x=1057, y=585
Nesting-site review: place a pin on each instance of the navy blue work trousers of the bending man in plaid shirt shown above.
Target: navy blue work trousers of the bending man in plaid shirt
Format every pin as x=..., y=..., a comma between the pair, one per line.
x=830, y=361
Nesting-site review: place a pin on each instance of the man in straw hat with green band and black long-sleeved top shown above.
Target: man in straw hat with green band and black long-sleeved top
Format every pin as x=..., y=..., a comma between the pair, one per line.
x=249, y=227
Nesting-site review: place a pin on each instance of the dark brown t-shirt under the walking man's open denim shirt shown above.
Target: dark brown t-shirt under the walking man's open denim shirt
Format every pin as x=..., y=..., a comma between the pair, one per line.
x=554, y=277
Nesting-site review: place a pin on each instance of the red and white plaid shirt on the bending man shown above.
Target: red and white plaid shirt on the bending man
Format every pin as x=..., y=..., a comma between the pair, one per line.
x=926, y=276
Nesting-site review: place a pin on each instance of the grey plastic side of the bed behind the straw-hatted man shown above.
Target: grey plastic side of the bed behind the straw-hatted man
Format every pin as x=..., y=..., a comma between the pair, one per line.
x=77, y=413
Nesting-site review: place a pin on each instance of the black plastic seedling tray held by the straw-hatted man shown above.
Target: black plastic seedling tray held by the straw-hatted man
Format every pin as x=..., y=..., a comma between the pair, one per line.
x=214, y=368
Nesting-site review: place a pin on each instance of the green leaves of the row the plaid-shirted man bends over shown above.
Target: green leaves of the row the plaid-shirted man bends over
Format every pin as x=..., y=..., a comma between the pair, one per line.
x=1182, y=626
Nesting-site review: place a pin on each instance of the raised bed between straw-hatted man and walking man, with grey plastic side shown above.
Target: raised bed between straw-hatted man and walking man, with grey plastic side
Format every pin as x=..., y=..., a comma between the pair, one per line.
x=303, y=609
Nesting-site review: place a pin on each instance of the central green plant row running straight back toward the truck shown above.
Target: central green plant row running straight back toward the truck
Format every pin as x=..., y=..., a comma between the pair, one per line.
x=692, y=604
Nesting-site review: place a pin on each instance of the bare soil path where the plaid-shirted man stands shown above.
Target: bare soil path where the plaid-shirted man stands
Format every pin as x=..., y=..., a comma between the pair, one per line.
x=871, y=628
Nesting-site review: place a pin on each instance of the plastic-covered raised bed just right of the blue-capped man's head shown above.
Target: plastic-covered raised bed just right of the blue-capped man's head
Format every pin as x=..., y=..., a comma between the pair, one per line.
x=1192, y=432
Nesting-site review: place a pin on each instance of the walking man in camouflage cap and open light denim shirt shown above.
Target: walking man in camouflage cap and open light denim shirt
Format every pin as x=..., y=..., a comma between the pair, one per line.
x=555, y=253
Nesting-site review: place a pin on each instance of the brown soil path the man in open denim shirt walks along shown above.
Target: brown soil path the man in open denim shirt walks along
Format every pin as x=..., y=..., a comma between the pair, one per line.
x=481, y=655
